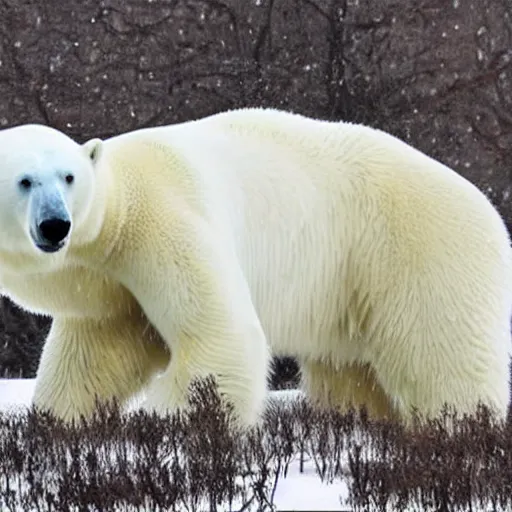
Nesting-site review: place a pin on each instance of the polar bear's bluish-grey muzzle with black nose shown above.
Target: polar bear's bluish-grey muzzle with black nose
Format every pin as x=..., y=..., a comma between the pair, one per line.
x=51, y=221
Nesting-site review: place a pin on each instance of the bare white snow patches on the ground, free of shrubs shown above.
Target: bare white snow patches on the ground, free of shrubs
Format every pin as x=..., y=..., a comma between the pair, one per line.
x=296, y=491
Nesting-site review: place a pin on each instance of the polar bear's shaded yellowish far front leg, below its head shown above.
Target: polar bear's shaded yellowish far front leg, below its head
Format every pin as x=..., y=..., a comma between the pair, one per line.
x=87, y=359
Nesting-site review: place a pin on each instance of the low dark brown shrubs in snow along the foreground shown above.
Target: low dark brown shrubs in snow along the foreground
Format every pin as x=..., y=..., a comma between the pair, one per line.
x=198, y=461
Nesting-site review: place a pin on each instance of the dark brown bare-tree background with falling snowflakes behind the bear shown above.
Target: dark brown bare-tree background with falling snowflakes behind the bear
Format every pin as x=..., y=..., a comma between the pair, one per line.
x=436, y=73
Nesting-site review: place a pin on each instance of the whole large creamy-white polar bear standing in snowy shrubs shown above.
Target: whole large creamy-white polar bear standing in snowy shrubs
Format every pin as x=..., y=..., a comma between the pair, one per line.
x=201, y=248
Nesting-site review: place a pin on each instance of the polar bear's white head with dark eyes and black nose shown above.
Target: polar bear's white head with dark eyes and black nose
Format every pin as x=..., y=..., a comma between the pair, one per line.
x=47, y=184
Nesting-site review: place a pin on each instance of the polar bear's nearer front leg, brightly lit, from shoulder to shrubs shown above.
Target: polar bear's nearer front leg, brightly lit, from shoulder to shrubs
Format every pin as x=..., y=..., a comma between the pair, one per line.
x=191, y=288
